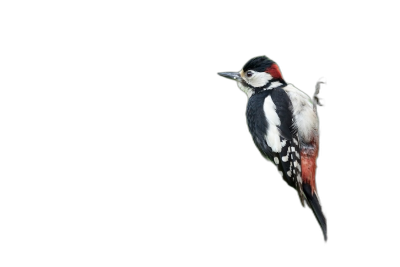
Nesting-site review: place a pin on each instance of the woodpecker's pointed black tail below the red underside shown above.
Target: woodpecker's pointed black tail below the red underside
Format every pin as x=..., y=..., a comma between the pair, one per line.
x=316, y=209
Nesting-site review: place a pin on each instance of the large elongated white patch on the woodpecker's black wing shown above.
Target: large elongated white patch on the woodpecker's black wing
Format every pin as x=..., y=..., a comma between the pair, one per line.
x=272, y=137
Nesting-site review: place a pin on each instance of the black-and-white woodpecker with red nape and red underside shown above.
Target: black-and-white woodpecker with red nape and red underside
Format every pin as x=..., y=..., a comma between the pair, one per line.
x=283, y=124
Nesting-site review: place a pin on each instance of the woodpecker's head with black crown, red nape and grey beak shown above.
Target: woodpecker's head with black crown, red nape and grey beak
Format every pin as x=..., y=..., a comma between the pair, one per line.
x=258, y=74
